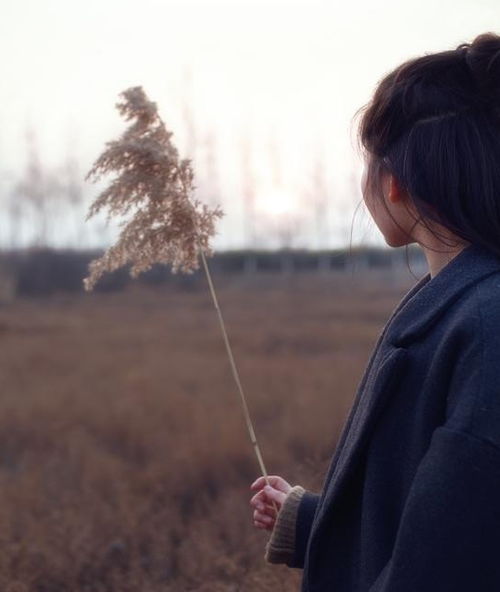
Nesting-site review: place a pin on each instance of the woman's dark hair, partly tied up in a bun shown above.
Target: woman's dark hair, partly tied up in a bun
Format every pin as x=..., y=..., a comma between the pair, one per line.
x=434, y=123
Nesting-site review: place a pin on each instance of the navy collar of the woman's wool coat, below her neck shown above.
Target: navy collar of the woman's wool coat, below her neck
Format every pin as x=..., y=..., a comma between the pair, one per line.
x=431, y=297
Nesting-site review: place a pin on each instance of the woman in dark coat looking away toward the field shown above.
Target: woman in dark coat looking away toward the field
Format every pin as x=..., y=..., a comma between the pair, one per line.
x=411, y=501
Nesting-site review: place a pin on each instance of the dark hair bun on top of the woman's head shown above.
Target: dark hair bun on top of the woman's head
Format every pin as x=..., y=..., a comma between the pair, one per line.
x=482, y=56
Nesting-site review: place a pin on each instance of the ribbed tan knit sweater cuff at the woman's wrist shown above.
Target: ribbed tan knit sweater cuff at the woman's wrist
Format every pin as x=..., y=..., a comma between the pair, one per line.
x=281, y=545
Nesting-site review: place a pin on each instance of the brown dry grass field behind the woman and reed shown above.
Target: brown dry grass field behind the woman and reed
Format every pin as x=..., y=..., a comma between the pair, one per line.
x=124, y=461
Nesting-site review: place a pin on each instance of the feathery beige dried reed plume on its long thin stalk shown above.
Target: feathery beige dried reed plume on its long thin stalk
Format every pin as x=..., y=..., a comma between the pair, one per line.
x=160, y=222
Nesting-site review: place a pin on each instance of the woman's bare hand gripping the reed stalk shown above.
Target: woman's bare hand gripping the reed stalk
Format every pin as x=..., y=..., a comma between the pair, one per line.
x=267, y=499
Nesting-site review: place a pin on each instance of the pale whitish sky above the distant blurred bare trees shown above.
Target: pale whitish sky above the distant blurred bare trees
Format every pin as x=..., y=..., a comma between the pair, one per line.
x=282, y=77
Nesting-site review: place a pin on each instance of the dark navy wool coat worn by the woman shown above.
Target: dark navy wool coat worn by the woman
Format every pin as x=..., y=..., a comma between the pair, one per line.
x=411, y=501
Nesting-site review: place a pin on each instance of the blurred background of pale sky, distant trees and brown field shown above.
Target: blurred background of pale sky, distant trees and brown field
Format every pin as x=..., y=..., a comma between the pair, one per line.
x=124, y=461
